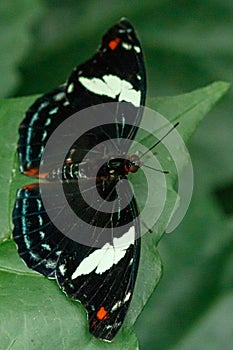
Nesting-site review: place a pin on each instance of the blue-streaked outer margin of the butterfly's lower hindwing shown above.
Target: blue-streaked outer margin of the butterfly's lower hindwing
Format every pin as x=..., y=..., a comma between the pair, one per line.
x=39, y=241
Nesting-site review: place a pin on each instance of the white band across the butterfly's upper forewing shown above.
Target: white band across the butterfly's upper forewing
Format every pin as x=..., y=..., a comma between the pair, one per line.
x=112, y=86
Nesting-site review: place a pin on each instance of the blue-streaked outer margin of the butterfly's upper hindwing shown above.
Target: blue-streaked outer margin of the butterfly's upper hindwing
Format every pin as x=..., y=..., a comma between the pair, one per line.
x=41, y=119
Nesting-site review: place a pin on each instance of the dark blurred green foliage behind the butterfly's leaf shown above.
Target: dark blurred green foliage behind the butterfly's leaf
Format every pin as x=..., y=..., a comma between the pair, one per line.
x=187, y=45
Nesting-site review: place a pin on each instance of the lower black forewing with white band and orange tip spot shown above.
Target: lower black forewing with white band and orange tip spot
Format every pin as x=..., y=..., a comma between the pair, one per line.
x=103, y=278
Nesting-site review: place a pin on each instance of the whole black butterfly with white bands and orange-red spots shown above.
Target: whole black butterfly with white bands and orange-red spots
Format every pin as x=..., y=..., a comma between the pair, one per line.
x=101, y=277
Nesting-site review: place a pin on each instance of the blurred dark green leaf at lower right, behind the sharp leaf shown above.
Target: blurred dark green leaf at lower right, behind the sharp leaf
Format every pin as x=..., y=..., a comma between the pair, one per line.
x=197, y=274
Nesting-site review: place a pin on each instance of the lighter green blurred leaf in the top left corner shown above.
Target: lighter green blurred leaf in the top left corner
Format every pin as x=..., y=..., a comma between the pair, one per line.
x=16, y=20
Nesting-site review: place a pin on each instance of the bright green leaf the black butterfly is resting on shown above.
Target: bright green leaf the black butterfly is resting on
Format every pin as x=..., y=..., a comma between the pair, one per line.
x=36, y=305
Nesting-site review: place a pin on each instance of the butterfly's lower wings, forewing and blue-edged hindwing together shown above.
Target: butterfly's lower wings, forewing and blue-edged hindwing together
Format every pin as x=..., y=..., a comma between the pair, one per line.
x=101, y=278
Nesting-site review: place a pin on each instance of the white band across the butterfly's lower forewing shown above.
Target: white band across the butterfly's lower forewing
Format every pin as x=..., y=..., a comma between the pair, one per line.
x=104, y=258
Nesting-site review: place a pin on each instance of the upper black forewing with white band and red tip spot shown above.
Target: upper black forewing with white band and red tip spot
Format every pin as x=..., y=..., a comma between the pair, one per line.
x=116, y=73
